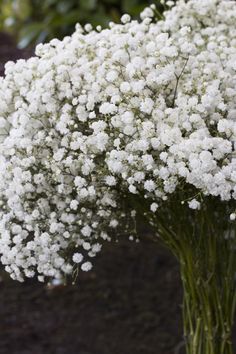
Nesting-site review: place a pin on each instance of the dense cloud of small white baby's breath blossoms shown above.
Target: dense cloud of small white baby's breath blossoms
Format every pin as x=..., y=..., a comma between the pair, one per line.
x=140, y=109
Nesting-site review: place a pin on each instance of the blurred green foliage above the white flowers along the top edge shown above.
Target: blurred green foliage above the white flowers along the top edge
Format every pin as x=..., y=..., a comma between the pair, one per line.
x=34, y=21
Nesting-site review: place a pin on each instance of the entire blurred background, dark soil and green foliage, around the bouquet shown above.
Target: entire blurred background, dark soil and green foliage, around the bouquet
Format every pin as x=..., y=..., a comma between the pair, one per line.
x=130, y=302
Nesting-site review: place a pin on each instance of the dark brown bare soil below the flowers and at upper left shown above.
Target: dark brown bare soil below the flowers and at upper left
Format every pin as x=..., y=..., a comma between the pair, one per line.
x=130, y=303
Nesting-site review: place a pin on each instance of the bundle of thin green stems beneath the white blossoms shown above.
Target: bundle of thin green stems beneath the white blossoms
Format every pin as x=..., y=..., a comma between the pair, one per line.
x=204, y=244
